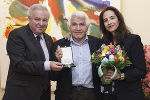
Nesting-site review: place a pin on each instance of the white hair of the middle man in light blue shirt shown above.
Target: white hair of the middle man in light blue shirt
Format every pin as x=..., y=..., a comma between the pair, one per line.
x=79, y=14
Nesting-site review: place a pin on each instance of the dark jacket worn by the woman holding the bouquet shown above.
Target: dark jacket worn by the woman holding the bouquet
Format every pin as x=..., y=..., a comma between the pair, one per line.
x=130, y=88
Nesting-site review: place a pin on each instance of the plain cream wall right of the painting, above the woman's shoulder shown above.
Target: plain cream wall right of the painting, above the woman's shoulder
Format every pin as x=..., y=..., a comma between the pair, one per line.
x=137, y=17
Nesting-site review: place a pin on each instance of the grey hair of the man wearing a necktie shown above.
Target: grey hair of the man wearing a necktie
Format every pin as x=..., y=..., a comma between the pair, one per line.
x=38, y=6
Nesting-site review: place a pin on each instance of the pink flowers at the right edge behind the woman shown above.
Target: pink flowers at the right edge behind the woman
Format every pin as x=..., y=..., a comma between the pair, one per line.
x=146, y=81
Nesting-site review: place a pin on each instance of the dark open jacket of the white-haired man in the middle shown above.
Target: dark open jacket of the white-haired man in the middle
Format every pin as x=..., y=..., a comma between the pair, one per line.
x=64, y=78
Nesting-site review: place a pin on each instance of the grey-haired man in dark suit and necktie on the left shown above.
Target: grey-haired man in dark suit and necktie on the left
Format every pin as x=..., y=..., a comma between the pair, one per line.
x=30, y=58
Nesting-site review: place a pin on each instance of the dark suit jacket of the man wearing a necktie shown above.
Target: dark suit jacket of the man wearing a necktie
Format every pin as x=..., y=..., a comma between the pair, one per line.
x=26, y=74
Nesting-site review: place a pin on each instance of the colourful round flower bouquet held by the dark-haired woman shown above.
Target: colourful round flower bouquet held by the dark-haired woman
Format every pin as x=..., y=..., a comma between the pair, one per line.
x=110, y=57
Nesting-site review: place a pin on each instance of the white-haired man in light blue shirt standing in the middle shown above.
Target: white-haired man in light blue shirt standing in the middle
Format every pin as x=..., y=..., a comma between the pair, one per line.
x=76, y=83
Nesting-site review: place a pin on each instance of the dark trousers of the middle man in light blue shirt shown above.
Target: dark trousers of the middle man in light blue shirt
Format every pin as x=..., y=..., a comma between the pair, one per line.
x=83, y=94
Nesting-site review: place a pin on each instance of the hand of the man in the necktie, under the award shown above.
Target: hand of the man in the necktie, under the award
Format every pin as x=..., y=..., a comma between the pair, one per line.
x=55, y=66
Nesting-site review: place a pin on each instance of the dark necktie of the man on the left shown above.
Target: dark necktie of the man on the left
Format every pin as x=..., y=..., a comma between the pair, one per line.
x=46, y=82
